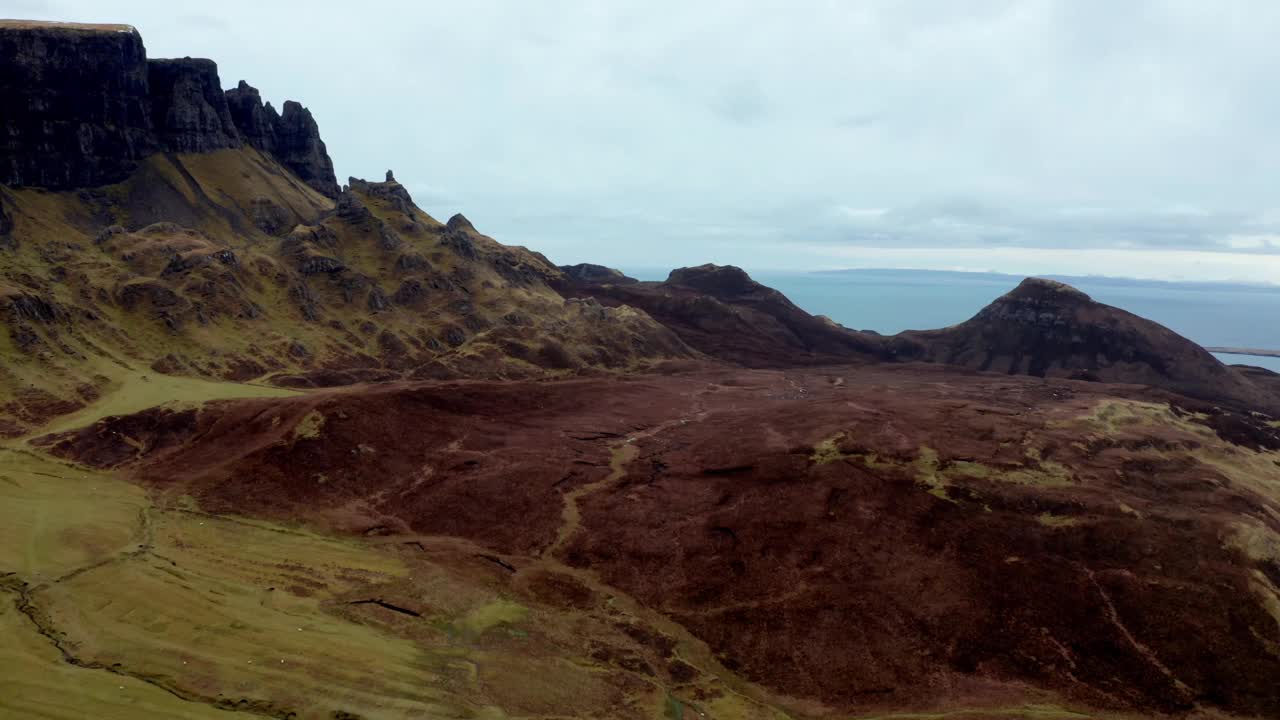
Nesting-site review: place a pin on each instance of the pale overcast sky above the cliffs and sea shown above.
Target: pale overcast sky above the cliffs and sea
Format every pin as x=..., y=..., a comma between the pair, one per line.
x=1132, y=139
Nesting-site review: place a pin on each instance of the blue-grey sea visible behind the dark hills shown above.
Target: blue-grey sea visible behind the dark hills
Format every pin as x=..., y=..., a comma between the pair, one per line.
x=890, y=302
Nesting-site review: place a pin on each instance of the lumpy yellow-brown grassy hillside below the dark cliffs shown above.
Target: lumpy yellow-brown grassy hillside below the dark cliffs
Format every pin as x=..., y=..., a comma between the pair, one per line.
x=124, y=309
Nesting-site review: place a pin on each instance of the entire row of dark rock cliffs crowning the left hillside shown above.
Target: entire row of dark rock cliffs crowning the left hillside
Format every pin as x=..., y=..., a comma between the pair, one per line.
x=84, y=107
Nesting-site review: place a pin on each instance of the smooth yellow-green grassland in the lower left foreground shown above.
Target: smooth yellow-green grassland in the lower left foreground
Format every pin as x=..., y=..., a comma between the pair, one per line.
x=117, y=608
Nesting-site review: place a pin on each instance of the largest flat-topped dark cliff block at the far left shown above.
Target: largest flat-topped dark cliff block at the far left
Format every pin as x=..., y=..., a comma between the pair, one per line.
x=76, y=104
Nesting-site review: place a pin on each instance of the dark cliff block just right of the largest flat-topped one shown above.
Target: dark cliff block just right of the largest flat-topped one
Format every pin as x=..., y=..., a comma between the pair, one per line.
x=189, y=107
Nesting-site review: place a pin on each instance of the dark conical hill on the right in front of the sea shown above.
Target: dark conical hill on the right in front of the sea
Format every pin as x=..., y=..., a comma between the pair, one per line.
x=1048, y=329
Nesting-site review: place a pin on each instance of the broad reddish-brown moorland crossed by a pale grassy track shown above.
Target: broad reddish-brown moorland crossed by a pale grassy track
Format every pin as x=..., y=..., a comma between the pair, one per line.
x=870, y=540
